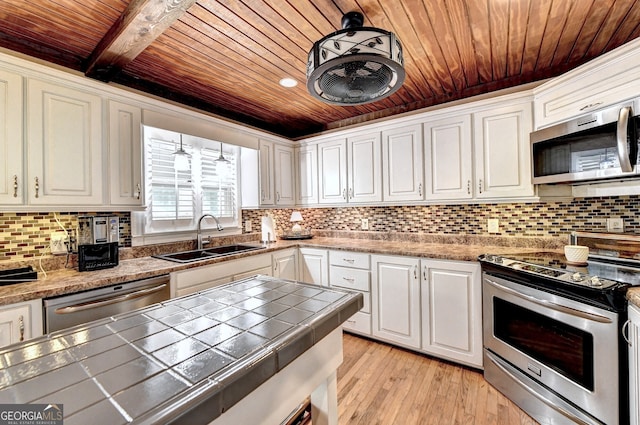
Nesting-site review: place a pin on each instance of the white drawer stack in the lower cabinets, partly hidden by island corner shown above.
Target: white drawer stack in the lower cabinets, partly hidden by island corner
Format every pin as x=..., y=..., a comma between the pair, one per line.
x=352, y=270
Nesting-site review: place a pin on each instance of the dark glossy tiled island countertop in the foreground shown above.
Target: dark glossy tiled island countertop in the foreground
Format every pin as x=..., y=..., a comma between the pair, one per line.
x=149, y=366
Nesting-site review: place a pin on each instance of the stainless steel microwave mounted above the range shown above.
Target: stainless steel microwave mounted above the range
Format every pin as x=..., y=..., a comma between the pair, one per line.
x=597, y=146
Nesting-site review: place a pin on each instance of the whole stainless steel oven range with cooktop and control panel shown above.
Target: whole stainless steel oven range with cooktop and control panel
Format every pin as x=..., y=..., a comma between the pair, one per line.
x=553, y=331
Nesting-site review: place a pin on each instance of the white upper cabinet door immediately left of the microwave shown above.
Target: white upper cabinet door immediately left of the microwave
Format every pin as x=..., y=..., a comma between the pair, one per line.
x=502, y=158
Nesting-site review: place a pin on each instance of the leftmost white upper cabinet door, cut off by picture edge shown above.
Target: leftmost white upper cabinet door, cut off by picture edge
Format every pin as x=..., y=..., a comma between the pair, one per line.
x=11, y=139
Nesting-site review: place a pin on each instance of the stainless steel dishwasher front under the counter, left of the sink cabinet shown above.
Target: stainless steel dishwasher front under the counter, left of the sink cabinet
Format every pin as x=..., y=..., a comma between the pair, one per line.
x=82, y=307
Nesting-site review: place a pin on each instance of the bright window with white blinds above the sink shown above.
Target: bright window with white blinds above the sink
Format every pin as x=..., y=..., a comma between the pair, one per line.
x=177, y=198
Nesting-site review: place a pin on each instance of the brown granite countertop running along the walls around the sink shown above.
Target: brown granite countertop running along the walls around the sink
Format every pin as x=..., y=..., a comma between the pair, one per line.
x=66, y=281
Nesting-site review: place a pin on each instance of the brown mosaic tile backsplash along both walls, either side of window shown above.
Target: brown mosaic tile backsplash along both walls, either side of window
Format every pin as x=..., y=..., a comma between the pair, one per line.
x=26, y=235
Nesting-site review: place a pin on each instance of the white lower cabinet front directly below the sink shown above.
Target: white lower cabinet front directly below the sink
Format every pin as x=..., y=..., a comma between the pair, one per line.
x=186, y=282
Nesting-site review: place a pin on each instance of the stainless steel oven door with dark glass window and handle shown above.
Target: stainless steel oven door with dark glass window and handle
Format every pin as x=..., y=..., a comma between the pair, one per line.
x=554, y=344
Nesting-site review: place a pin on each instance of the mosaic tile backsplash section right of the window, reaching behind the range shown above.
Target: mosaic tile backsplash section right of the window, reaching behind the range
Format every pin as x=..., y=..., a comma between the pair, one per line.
x=543, y=219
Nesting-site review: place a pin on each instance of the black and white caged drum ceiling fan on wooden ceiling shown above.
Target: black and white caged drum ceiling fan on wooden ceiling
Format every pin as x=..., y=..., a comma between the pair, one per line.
x=355, y=65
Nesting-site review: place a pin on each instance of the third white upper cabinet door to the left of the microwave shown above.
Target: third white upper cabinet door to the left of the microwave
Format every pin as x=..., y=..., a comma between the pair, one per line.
x=402, y=164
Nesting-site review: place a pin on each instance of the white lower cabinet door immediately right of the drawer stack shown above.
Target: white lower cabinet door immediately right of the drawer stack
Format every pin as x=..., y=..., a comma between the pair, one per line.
x=395, y=300
